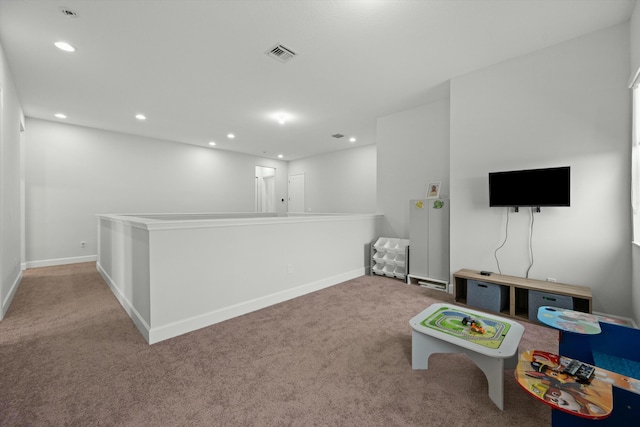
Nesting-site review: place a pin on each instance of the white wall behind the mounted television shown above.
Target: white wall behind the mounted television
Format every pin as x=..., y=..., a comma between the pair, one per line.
x=564, y=105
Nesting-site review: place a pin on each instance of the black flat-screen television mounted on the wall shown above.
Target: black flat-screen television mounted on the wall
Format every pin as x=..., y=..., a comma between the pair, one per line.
x=533, y=187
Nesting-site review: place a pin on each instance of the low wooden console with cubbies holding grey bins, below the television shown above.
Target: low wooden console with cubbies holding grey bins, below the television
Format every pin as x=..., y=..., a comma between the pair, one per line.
x=519, y=291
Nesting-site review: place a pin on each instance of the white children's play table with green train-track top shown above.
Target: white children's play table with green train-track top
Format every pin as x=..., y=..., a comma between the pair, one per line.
x=445, y=328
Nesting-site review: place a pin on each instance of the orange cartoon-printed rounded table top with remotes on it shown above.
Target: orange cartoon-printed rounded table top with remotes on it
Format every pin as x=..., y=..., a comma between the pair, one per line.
x=544, y=376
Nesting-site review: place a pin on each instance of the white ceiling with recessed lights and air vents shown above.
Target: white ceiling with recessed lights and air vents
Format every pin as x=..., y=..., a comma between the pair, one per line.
x=198, y=69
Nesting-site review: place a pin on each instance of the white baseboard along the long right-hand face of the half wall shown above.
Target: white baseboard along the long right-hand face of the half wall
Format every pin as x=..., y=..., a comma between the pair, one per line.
x=161, y=333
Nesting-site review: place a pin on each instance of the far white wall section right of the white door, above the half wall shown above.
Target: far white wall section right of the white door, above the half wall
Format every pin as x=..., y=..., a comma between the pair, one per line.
x=343, y=181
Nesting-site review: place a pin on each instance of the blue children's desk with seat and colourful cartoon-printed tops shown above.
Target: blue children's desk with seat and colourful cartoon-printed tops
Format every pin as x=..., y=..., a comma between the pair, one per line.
x=612, y=397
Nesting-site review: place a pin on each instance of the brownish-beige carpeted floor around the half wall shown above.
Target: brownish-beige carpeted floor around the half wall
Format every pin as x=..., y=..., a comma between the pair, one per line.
x=69, y=355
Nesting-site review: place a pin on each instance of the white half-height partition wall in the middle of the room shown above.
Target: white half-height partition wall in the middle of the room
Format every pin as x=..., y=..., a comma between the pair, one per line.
x=225, y=269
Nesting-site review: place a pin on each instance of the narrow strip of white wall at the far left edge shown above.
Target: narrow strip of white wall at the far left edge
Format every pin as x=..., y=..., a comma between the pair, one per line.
x=10, y=194
